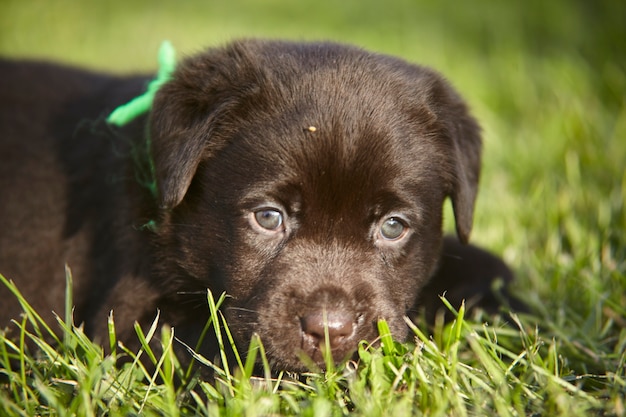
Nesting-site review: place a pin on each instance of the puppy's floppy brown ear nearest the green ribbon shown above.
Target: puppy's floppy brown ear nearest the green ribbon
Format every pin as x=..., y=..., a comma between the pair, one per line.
x=185, y=119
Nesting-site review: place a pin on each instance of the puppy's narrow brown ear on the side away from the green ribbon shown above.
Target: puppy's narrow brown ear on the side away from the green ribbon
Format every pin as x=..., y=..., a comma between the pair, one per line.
x=463, y=132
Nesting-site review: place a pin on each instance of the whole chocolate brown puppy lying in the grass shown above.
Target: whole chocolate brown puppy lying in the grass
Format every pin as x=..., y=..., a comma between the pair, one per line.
x=306, y=180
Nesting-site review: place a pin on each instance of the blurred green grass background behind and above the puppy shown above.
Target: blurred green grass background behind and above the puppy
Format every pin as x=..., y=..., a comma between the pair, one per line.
x=546, y=79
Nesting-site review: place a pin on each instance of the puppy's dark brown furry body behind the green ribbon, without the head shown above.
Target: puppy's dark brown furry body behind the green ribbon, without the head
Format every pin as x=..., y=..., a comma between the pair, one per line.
x=64, y=186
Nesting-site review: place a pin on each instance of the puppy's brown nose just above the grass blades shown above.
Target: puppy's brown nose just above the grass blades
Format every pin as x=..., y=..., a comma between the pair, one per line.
x=339, y=326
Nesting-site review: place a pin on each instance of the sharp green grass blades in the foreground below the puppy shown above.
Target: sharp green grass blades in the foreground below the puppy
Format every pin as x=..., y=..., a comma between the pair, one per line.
x=462, y=369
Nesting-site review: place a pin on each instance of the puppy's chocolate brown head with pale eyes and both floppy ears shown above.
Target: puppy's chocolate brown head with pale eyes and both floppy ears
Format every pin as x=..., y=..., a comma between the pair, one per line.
x=307, y=180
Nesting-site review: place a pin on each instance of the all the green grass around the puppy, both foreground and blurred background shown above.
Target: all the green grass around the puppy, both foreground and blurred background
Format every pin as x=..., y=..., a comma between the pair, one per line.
x=548, y=82
